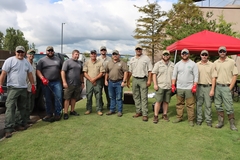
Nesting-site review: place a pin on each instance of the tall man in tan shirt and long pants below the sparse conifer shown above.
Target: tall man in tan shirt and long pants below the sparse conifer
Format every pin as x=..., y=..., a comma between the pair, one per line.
x=140, y=67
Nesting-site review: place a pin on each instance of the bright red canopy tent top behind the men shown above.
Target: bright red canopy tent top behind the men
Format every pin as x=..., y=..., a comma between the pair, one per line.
x=207, y=40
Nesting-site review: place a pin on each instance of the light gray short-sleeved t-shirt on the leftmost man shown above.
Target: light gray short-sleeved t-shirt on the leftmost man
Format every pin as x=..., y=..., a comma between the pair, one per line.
x=17, y=71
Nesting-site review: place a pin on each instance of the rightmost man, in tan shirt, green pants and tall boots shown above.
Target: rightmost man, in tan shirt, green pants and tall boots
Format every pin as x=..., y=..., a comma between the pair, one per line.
x=226, y=78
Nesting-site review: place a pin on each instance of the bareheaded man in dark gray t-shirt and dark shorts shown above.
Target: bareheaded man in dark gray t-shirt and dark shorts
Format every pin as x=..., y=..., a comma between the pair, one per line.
x=72, y=77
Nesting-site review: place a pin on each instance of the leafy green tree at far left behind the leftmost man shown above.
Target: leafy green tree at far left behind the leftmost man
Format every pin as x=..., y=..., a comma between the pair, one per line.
x=14, y=38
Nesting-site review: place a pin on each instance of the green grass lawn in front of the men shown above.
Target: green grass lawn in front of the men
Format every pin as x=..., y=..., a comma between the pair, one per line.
x=111, y=137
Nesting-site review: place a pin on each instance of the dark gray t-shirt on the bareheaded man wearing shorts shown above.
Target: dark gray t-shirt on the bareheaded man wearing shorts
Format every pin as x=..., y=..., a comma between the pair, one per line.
x=72, y=69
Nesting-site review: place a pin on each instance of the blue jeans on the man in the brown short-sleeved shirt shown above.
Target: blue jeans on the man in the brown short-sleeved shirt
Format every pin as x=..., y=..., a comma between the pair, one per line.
x=115, y=91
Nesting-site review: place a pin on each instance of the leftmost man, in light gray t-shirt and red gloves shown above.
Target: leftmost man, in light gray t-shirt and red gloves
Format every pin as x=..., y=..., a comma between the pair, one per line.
x=17, y=89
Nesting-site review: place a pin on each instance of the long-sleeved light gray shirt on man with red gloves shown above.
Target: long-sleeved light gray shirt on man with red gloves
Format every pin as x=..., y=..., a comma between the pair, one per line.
x=186, y=73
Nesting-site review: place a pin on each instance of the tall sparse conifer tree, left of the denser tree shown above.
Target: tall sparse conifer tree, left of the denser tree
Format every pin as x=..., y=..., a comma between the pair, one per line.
x=149, y=27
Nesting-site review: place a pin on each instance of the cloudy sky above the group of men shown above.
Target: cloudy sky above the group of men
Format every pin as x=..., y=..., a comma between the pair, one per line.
x=89, y=24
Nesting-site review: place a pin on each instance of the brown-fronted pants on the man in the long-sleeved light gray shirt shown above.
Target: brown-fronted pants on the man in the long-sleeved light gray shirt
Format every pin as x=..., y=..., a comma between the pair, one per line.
x=182, y=95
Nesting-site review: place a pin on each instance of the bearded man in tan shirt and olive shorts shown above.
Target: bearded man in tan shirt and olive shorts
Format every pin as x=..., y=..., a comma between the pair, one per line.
x=162, y=76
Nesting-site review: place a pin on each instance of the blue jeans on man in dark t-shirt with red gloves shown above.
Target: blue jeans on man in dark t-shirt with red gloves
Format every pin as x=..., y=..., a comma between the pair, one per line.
x=56, y=88
